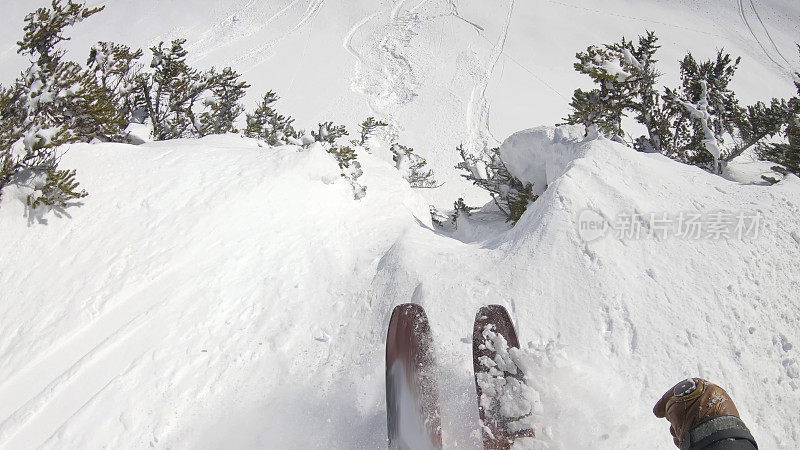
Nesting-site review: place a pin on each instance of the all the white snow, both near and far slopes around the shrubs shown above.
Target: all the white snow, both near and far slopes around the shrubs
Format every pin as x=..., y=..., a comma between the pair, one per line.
x=220, y=294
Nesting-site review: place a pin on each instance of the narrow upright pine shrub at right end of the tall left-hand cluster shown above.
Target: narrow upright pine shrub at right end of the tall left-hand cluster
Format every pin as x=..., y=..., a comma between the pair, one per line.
x=224, y=102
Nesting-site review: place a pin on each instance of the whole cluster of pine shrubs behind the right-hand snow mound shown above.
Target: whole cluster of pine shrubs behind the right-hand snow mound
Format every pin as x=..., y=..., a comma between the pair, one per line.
x=699, y=123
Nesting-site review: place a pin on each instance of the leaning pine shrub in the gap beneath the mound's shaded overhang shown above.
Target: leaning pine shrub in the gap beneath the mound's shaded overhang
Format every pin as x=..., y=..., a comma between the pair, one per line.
x=511, y=195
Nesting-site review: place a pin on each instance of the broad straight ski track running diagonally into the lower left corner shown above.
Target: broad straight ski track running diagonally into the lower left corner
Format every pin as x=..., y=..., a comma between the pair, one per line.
x=85, y=363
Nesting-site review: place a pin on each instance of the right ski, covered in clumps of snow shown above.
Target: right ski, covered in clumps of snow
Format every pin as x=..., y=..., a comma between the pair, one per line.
x=497, y=377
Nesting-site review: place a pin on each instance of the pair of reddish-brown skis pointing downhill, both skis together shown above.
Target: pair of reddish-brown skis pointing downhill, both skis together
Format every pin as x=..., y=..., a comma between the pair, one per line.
x=412, y=403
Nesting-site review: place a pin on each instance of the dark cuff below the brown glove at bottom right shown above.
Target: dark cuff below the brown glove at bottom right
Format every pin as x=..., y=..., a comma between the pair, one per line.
x=719, y=433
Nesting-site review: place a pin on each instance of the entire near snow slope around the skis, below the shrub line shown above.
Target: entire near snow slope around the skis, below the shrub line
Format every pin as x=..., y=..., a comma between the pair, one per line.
x=221, y=295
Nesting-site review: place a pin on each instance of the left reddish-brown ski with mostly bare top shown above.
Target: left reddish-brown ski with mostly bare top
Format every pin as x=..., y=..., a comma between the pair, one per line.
x=412, y=402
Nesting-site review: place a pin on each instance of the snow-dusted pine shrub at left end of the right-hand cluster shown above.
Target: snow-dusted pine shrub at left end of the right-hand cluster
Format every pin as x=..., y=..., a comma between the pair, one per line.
x=625, y=76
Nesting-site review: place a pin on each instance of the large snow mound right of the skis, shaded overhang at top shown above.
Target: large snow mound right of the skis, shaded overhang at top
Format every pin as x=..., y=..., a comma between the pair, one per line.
x=642, y=300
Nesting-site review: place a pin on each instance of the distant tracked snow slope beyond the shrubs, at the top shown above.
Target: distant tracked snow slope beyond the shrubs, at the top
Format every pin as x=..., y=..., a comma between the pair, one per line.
x=442, y=71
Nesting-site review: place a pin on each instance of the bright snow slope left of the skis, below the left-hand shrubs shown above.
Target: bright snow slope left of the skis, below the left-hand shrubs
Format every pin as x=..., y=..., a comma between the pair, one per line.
x=207, y=292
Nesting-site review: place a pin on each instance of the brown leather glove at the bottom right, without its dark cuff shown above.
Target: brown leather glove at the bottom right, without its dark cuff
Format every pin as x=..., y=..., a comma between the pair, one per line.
x=690, y=402
